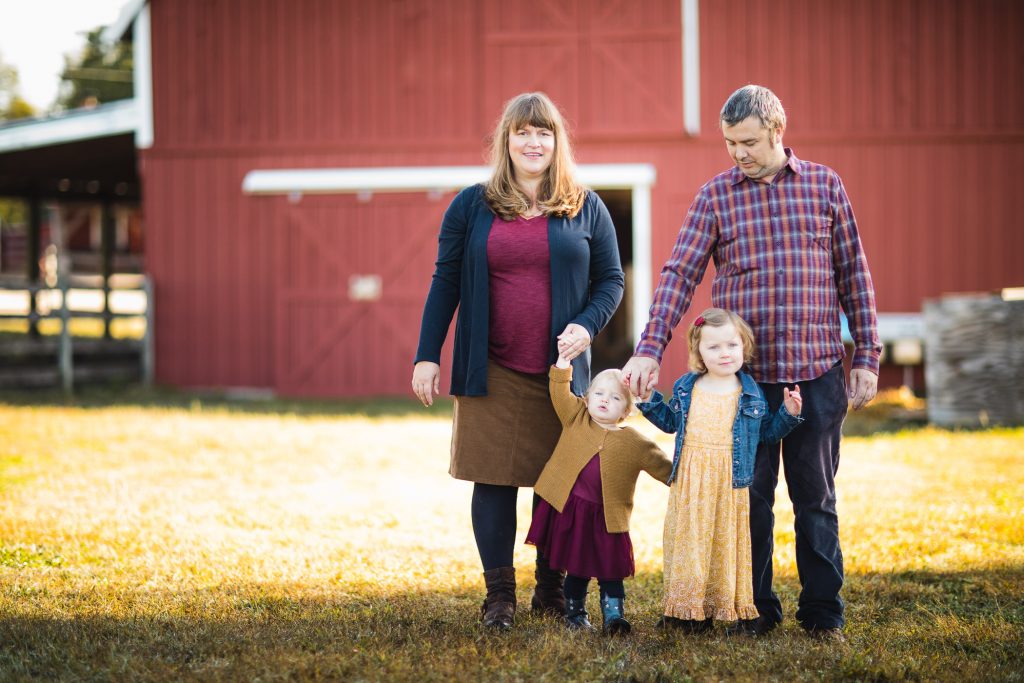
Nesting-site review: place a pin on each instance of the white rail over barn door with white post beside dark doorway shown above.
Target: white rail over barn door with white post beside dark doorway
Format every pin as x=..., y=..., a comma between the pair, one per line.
x=636, y=178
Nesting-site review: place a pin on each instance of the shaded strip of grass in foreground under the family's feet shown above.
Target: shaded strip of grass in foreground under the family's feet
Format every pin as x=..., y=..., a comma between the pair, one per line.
x=911, y=626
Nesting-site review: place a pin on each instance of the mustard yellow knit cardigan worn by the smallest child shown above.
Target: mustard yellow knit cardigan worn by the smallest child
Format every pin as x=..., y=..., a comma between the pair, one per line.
x=624, y=454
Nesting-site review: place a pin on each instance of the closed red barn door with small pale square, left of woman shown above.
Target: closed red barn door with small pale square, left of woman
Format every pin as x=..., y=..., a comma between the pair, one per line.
x=353, y=277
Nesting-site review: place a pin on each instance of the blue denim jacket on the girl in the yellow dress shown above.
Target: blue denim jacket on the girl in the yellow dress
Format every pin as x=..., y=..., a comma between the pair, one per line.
x=753, y=424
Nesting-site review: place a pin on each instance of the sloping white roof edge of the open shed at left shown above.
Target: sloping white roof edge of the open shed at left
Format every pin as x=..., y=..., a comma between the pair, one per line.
x=112, y=119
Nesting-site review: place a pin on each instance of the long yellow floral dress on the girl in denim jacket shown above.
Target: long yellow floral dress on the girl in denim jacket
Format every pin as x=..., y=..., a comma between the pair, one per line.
x=707, y=527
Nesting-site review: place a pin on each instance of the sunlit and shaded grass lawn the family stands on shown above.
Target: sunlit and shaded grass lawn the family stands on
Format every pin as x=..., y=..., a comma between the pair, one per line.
x=164, y=541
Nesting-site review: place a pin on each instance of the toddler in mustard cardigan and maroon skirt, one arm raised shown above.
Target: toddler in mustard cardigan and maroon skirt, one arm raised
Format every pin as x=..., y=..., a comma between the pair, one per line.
x=582, y=523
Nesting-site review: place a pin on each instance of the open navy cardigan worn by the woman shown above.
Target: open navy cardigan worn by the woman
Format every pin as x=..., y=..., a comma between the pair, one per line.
x=586, y=286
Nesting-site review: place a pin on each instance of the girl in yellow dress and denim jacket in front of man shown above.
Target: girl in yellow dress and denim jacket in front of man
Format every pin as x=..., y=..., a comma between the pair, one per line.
x=719, y=416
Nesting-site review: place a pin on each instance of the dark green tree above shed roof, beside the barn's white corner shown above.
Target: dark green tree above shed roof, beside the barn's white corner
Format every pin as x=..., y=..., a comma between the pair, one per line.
x=101, y=73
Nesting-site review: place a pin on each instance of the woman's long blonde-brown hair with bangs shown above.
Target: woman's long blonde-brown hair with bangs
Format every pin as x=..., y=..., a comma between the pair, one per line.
x=560, y=194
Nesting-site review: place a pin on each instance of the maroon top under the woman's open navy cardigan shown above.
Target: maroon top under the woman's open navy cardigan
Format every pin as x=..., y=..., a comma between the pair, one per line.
x=520, y=265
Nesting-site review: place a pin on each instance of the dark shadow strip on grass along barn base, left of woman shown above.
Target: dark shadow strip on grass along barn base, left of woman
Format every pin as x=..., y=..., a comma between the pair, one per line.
x=164, y=399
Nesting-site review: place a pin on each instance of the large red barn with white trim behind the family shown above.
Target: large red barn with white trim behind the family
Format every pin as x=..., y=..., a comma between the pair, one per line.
x=300, y=155
